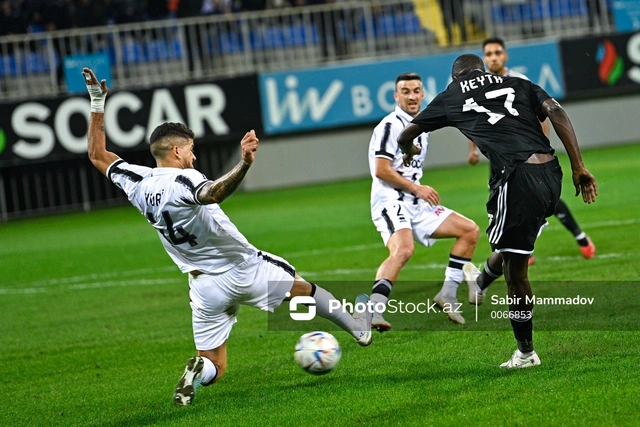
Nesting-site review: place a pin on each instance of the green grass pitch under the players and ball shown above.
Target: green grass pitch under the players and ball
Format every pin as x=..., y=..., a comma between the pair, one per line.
x=95, y=322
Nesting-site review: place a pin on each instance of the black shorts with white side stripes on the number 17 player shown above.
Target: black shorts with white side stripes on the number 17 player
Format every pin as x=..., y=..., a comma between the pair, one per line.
x=518, y=208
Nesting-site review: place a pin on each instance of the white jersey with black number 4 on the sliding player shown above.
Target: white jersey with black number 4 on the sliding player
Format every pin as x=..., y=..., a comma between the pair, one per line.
x=197, y=237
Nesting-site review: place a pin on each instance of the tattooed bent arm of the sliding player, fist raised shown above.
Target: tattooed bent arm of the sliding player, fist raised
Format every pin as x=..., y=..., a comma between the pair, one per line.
x=218, y=190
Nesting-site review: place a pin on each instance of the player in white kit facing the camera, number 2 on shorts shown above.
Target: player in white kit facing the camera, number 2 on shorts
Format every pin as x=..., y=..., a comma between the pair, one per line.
x=404, y=211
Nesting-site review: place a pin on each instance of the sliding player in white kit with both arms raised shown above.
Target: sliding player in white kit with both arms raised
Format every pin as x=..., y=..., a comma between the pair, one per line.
x=224, y=269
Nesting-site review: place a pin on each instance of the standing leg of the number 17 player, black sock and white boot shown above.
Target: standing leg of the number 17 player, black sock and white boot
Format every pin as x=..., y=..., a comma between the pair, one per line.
x=520, y=310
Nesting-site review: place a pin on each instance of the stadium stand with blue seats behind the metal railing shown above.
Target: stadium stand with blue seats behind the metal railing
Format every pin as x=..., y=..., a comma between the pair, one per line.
x=248, y=42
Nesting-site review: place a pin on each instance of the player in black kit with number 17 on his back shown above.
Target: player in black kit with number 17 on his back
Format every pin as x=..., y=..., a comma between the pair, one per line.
x=502, y=116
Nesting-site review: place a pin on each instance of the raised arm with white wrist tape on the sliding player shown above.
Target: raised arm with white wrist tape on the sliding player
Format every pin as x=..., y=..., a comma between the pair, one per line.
x=96, y=136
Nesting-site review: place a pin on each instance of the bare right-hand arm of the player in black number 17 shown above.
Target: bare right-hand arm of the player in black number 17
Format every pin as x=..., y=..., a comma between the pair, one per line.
x=584, y=182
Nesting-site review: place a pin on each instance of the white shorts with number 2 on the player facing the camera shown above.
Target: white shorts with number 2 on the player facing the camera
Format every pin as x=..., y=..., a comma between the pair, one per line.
x=422, y=218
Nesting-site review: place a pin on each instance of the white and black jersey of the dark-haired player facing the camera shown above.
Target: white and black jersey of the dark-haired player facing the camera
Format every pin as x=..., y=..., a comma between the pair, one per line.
x=384, y=144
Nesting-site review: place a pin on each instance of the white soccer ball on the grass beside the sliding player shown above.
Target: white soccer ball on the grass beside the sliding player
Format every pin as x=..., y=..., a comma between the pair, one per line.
x=317, y=352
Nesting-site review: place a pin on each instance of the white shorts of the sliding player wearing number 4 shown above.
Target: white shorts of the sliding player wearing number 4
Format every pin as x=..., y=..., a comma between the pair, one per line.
x=261, y=281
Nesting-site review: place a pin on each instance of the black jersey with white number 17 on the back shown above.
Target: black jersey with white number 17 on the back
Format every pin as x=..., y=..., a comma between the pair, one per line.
x=501, y=115
